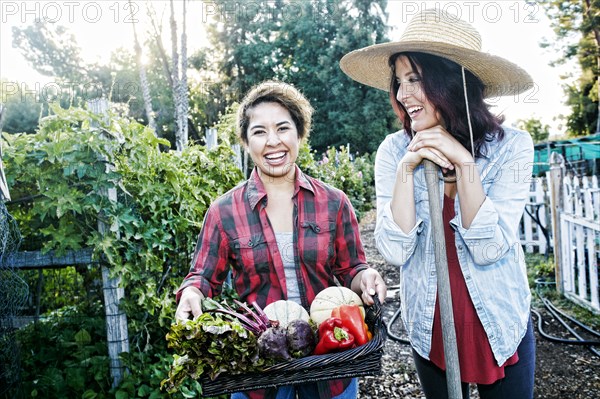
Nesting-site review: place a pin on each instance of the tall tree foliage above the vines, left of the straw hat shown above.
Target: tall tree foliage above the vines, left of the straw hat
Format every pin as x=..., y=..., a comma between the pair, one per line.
x=300, y=42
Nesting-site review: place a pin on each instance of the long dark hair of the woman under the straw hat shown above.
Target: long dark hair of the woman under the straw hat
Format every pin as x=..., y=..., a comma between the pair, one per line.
x=443, y=85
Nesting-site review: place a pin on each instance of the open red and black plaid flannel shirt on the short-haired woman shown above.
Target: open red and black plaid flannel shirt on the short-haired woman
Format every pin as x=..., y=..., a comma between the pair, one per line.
x=237, y=236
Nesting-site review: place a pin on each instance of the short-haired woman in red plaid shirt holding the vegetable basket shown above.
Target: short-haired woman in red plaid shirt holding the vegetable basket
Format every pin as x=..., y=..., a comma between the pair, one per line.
x=281, y=233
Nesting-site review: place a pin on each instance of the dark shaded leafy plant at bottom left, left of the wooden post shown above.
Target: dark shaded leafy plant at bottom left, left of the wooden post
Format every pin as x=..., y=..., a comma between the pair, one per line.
x=66, y=354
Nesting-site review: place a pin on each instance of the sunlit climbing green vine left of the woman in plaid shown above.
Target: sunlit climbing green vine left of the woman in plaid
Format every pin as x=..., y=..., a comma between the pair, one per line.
x=60, y=177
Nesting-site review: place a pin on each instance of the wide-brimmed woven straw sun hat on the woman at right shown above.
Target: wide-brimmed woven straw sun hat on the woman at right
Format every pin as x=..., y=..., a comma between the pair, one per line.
x=436, y=32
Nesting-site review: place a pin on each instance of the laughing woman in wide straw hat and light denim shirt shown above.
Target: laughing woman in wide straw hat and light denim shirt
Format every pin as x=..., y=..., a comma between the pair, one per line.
x=438, y=79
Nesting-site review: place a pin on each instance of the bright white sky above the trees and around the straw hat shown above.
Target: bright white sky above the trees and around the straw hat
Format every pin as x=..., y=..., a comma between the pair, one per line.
x=511, y=29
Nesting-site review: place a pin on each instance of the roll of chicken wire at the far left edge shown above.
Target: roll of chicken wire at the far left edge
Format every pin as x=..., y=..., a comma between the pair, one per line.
x=13, y=295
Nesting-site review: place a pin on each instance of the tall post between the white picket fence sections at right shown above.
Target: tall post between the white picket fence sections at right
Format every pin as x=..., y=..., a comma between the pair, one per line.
x=555, y=182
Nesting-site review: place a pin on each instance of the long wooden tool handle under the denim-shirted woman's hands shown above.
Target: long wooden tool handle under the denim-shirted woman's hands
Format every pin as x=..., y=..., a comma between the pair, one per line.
x=443, y=282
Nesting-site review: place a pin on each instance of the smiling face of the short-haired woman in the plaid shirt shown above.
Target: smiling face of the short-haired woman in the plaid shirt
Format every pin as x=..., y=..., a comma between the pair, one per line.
x=273, y=141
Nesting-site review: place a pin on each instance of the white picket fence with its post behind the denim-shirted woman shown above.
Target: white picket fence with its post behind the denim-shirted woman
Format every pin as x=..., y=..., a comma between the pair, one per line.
x=563, y=214
